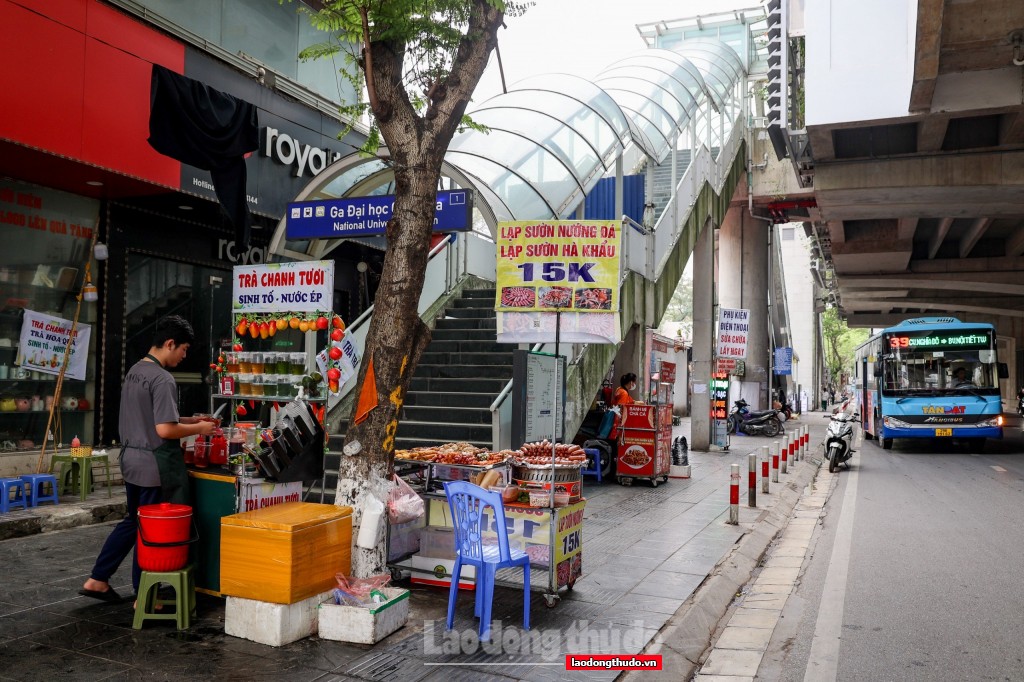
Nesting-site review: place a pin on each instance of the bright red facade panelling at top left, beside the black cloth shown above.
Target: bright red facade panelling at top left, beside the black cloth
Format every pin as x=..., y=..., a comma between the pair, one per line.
x=78, y=84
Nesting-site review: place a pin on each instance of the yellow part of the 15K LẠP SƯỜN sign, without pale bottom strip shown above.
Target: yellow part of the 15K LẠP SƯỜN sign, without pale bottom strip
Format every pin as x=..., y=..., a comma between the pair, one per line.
x=571, y=266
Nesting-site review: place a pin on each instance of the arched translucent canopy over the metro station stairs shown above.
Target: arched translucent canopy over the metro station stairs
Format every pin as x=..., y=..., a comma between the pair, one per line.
x=552, y=138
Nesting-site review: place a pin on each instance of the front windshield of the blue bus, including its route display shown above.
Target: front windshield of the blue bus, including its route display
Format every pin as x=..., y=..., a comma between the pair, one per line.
x=936, y=364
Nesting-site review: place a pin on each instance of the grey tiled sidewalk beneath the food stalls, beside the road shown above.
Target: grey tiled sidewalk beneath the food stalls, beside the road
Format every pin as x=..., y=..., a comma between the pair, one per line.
x=651, y=556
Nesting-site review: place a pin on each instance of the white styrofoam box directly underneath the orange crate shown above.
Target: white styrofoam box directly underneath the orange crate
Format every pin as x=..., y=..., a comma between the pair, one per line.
x=275, y=625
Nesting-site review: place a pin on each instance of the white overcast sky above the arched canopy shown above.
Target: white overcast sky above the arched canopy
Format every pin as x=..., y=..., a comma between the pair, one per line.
x=582, y=37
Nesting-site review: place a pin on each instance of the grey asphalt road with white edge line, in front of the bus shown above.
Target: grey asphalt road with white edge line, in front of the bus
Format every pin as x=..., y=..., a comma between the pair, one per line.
x=917, y=572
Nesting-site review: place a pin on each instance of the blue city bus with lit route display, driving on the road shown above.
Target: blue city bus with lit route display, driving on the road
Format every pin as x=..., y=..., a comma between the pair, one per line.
x=931, y=378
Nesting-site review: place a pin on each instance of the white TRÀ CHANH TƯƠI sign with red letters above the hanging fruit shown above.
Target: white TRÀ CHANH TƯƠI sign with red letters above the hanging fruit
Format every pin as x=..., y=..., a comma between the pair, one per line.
x=296, y=287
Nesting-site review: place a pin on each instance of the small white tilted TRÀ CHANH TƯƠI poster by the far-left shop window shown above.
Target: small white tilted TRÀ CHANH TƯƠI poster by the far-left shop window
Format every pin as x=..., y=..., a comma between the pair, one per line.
x=45, y=340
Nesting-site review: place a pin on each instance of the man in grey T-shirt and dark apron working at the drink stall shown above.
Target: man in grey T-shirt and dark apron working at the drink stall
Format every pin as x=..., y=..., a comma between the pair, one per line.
x=152, y=462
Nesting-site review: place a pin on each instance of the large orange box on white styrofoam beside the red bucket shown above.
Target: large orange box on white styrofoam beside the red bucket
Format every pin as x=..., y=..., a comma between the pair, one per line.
x=286, y=553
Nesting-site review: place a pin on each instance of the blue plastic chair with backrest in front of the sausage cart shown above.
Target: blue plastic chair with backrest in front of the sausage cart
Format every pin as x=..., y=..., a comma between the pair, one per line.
x=467, y=503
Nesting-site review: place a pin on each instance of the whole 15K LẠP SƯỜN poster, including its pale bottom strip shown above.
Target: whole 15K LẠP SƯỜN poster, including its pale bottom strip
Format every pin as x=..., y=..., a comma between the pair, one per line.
x=572, y=267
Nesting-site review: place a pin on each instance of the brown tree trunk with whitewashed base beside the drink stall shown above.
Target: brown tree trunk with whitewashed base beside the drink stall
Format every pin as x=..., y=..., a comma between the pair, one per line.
x=398, y=337
